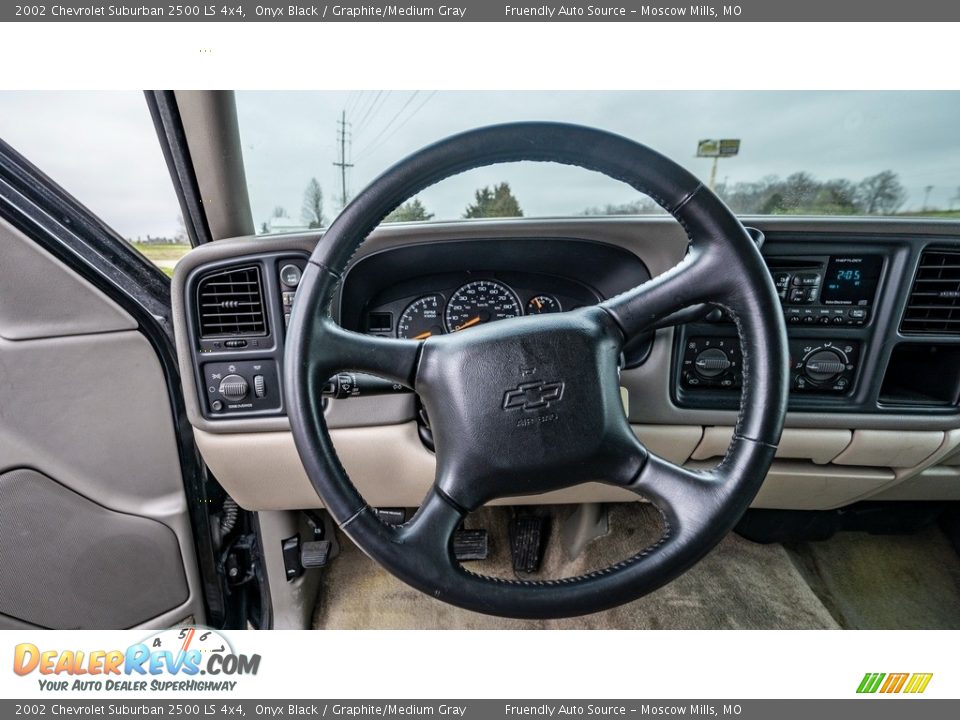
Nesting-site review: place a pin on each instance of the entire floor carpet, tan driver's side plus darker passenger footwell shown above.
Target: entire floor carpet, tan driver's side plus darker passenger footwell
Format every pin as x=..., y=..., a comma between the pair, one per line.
x=853, y=580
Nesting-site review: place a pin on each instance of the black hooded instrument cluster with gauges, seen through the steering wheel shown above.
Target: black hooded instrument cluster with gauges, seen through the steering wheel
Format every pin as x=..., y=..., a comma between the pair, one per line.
x=422, y=290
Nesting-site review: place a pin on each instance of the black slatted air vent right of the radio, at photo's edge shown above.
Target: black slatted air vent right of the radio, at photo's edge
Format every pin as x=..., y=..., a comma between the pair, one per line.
x=934, y=305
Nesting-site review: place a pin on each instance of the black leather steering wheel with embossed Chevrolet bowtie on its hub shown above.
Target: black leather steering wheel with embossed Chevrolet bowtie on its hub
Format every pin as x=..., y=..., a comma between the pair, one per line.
x=532, y=404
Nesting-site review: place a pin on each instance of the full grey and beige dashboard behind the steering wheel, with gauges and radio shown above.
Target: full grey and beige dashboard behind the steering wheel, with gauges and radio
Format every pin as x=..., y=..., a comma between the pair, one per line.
x=872, y=309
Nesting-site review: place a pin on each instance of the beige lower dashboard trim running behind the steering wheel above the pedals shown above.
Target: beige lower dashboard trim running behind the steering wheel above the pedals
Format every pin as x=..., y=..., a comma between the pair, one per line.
x=391, y=468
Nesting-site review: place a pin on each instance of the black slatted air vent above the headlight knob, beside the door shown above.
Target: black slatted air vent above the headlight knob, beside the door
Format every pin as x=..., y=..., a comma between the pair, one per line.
x=230, y=303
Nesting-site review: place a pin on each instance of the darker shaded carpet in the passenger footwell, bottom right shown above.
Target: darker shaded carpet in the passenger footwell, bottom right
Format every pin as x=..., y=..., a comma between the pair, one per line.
x=906, y=582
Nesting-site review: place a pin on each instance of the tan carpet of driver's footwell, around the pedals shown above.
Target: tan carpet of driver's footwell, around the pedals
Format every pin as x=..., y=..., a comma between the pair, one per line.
x=739, y=585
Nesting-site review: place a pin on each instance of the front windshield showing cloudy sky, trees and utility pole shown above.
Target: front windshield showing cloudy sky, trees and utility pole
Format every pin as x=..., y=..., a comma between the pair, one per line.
x=767, y=153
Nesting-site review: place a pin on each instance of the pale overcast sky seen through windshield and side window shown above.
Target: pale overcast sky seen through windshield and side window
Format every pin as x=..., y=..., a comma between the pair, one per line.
x=103, y=149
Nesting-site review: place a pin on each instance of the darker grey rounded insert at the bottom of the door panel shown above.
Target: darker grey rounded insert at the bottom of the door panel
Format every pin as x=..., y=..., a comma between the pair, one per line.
x=108, y=569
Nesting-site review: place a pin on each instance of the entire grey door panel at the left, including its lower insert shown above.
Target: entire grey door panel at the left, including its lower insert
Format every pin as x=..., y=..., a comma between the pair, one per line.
x=94, y=529
